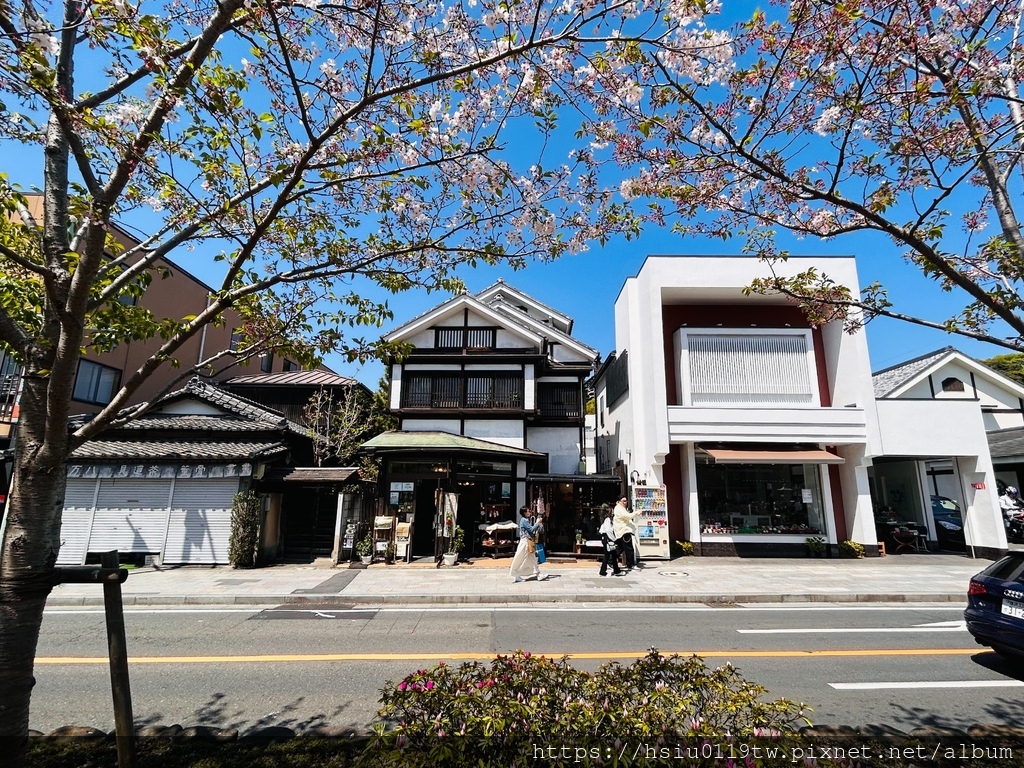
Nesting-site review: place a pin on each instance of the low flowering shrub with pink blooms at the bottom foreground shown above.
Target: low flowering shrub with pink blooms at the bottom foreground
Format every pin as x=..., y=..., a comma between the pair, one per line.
x=520, y=709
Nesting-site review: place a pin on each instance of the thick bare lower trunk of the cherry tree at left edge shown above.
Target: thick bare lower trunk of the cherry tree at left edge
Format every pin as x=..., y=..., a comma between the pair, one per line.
x=31, y=542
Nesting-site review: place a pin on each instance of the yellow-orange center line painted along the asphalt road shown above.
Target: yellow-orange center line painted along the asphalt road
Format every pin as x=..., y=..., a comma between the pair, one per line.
x=276, y=658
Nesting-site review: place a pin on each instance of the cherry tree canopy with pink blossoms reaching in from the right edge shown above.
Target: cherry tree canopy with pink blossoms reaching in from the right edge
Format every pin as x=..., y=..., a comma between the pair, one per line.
x=901, y=121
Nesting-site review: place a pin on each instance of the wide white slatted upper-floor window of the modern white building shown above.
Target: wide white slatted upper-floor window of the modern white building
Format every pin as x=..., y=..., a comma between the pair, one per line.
x=762, y=368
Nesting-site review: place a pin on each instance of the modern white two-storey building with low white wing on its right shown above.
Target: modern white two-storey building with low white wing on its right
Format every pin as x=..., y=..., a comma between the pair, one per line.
x=765, y=431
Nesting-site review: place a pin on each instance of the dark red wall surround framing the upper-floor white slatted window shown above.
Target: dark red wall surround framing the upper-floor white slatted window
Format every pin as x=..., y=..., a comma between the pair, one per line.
x=737, y=316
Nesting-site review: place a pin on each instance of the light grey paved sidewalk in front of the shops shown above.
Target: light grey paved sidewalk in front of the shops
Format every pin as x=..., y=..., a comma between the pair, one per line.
x=927, y=578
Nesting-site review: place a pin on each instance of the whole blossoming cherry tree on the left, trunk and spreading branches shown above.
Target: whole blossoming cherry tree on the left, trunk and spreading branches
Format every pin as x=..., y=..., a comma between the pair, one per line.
x=309, y=153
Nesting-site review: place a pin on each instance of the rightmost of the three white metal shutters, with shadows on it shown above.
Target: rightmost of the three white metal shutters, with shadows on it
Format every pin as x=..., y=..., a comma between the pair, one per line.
x=201, y=522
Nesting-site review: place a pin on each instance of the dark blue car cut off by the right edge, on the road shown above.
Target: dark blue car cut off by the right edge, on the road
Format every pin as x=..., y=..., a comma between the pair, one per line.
x=996, y=607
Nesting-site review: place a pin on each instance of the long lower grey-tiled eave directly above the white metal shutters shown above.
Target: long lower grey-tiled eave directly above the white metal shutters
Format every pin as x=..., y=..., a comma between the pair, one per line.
x=174, y=450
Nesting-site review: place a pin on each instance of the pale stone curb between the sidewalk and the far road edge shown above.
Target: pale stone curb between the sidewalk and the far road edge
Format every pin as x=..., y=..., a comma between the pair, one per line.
x=491, y=600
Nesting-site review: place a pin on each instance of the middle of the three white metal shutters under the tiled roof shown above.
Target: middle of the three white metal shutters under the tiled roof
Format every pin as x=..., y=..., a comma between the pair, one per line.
x=132, y=516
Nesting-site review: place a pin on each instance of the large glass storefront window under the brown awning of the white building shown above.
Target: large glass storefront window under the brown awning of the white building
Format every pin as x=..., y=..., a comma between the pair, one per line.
x=760, y=499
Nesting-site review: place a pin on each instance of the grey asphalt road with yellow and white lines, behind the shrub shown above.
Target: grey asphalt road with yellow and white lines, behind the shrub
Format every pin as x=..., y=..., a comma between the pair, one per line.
x=902, y=666
